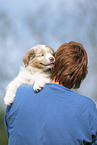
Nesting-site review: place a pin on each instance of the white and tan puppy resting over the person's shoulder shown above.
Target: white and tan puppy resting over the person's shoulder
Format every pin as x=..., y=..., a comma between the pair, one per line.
x=38, y=62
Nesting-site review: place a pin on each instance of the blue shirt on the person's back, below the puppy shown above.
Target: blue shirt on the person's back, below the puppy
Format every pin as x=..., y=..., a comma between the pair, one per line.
x=54, y=116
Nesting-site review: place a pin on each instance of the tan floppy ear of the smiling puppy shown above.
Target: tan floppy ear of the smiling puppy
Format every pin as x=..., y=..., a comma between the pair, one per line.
x=28, y=57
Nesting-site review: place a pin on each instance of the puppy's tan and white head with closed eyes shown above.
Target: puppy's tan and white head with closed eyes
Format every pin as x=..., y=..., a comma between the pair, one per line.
x=40, y=56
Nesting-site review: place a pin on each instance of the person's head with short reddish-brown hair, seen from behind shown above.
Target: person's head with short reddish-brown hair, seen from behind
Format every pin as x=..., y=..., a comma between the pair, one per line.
x=70, y=66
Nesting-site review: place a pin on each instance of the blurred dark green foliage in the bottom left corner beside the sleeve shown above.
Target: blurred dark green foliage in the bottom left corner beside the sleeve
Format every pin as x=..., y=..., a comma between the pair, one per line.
x=3, y=136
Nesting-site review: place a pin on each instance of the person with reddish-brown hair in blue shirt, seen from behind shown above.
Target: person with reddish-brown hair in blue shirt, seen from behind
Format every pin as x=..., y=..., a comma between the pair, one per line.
x=57, y=115
